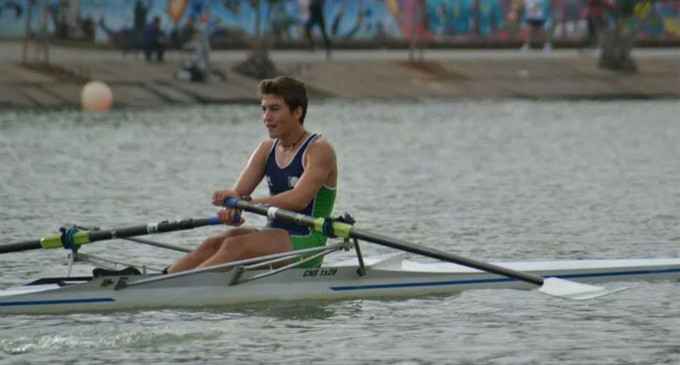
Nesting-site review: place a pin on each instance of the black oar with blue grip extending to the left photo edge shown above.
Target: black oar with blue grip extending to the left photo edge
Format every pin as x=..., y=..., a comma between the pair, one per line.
x=77, y=238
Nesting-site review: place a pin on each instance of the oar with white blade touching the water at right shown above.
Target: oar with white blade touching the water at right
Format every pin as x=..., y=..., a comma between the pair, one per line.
x=553, y=286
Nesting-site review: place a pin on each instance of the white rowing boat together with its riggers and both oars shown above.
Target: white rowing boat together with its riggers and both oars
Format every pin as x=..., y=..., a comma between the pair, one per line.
x=256, y=280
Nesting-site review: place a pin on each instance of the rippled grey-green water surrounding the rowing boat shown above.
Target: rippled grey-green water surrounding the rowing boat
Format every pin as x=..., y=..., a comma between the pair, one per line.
x=489, y=180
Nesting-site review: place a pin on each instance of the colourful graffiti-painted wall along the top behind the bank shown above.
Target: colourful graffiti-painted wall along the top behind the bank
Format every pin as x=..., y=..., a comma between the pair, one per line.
x=235, y=21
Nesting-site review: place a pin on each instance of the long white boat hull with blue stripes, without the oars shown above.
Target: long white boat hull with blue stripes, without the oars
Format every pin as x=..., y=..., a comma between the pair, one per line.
x=385, y=277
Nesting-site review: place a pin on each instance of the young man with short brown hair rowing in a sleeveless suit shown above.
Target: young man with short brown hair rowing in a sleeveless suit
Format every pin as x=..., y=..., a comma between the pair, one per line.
x=302, y=175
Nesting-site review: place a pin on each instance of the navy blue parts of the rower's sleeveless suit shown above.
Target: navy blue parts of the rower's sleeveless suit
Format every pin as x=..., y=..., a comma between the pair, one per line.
x=284, y=178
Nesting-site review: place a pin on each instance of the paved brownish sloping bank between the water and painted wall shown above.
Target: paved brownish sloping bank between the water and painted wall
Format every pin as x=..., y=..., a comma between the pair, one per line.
x=381, y=74
